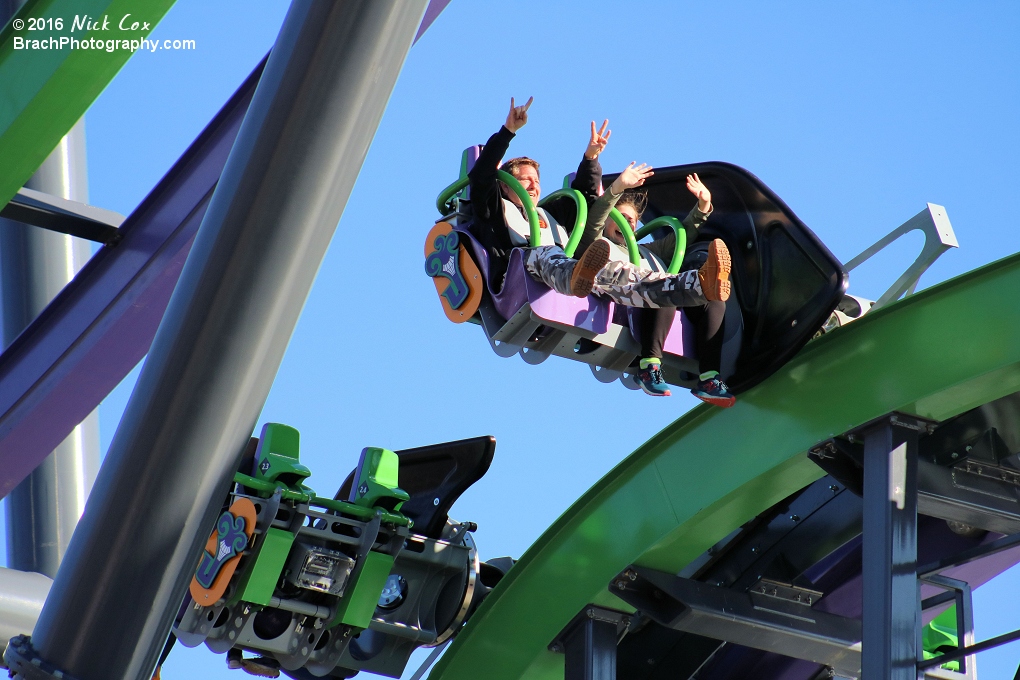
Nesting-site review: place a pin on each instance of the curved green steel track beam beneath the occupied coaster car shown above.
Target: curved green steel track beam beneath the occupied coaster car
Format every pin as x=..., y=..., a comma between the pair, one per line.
x=936, y=354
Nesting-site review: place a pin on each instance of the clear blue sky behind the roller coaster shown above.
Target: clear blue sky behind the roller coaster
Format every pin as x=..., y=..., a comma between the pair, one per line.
x=857, y=115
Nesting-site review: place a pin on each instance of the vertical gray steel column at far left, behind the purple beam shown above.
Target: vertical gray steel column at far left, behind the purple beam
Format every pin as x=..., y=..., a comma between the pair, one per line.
x=35, y=265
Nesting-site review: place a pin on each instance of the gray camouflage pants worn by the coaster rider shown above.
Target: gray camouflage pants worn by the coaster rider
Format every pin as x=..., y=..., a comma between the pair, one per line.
x=621, y=282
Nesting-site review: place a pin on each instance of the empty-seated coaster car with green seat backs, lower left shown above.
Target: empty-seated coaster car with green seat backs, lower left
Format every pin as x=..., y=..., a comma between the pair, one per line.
x=328, y=588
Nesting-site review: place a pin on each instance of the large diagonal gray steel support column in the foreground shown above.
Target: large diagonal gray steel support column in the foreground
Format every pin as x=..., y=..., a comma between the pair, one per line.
x=220, y=346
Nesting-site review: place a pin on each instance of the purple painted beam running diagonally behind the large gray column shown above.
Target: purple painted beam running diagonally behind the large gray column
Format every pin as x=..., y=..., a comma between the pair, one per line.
x=103, y=324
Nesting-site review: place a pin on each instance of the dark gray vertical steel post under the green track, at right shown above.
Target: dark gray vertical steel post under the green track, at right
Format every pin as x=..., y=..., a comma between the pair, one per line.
x=890, y=569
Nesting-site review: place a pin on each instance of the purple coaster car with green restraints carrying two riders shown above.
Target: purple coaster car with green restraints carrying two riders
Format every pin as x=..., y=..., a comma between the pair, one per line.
x=787, y=283
